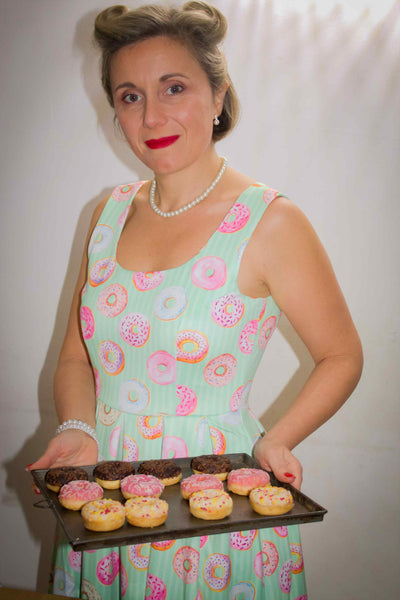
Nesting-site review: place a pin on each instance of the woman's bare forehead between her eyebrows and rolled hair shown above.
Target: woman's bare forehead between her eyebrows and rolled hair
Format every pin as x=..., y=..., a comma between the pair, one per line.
x=154, y=58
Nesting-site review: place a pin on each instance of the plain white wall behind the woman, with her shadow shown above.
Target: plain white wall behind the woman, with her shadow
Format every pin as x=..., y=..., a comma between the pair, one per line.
x=320, y=90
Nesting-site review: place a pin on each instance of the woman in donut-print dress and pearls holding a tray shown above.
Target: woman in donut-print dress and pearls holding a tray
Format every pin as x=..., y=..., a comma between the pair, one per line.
x=180, y=289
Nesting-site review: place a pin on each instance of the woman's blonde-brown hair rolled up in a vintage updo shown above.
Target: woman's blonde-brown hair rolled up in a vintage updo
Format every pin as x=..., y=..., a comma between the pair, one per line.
x=199, y=26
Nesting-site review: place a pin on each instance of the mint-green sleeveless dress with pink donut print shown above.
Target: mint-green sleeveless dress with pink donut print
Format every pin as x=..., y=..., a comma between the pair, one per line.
x=174, y=354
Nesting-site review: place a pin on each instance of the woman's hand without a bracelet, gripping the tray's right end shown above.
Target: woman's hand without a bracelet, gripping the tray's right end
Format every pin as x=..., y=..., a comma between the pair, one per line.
x=276, y=457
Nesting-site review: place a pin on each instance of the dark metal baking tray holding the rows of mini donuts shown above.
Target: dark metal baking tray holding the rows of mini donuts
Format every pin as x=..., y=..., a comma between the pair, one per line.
x=180, y=523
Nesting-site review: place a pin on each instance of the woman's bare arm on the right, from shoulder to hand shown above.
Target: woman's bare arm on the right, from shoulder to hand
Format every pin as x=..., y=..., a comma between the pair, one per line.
x=298, y=274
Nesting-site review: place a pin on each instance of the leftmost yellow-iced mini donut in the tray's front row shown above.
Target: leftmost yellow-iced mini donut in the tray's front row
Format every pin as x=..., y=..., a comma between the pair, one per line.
x=103, y=515
